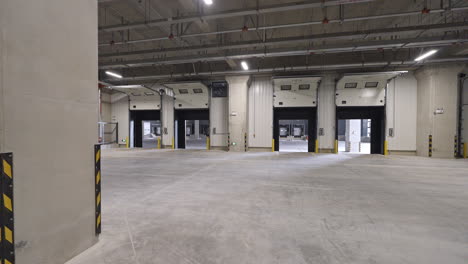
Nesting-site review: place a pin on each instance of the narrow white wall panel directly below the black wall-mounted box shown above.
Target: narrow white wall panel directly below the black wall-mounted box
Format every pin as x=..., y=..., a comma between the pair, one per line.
x=219, y=116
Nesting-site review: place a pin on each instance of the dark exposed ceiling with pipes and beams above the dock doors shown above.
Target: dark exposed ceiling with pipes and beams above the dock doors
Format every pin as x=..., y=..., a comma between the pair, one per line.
x=160, y=40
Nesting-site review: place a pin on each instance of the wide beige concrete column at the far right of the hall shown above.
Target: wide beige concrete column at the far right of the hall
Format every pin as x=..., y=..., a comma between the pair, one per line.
x=437, y=109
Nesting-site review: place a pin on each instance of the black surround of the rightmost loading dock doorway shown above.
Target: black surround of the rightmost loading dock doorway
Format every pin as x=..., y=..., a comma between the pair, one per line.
x=375, y=115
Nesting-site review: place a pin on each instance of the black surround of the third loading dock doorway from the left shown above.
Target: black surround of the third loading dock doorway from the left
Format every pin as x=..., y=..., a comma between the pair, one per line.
x=303, y=115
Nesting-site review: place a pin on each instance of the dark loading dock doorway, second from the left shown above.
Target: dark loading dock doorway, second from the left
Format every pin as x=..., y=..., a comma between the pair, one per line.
x=184, y=121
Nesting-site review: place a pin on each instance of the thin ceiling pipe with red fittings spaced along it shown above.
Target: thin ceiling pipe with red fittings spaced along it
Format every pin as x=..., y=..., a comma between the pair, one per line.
x=345, y=20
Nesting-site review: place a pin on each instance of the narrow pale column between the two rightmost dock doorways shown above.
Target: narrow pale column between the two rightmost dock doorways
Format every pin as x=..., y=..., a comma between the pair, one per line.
x=327, y=112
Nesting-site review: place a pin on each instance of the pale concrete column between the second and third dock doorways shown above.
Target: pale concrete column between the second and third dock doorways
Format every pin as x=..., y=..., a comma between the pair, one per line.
x=238, y=104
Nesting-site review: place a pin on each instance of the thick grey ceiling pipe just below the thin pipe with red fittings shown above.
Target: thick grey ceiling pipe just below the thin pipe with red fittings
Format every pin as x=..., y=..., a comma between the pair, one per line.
x=338, y=35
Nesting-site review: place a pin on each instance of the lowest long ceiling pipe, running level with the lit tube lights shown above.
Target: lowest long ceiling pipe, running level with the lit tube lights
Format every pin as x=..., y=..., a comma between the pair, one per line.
x=409, y=63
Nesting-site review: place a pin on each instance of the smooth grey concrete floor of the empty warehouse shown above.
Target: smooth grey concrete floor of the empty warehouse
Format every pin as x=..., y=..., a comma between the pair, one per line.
x=200, y=207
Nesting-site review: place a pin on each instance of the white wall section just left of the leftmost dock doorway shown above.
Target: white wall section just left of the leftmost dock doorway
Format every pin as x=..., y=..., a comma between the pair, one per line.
x=121, y=115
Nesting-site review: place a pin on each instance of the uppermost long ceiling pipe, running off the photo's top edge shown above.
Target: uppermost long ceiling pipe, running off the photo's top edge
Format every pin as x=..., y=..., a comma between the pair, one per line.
x=232, y=13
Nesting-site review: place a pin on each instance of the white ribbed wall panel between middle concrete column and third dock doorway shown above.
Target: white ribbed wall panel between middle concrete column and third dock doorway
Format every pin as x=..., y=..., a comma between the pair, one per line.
x=261, y=113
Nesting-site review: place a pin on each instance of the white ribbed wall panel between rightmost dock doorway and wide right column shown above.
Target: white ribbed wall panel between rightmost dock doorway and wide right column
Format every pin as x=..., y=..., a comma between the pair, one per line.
x=401, y=109
